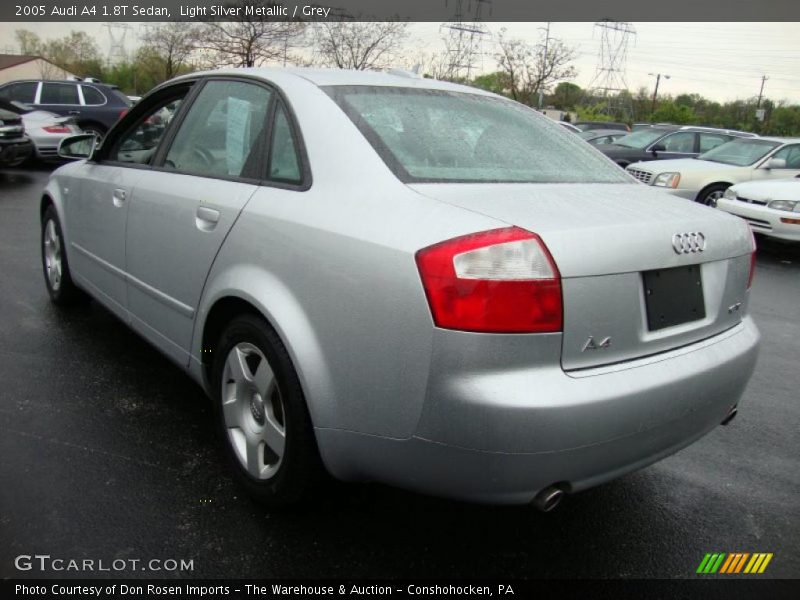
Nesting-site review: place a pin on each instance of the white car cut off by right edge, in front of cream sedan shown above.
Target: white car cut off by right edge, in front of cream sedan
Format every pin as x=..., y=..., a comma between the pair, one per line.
x=771, y=207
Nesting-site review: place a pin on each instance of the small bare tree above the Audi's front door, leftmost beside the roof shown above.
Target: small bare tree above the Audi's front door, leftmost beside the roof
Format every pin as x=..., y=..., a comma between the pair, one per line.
x=167, y=48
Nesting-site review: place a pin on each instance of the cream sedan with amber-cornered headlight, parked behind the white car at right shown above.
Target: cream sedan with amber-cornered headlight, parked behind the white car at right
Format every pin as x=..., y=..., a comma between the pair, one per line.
x=705, y=178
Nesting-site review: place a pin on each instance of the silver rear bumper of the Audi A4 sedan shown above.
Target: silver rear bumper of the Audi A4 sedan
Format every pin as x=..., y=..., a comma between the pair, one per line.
x=501, y=436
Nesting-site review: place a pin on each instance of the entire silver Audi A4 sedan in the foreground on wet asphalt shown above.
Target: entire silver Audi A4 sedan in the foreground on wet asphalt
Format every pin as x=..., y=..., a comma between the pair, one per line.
x=396, y=279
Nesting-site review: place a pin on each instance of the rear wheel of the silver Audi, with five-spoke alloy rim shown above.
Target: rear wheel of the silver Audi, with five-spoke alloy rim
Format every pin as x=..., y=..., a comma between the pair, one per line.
x=262, y=414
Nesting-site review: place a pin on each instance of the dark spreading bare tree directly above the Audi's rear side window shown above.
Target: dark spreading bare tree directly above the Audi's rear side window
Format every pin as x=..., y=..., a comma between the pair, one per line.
x=248, y=40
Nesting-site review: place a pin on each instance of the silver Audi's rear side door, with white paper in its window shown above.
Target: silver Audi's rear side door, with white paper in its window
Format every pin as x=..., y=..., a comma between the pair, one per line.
x=180, y=214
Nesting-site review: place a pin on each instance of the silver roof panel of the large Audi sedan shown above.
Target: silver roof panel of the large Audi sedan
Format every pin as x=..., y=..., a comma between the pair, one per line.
x=331, y=77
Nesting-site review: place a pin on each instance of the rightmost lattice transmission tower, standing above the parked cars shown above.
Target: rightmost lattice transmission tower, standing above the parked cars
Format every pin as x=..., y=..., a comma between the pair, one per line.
x=609, y=81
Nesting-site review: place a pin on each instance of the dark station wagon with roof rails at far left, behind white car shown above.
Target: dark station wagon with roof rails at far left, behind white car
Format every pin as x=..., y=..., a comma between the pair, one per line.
x=95, y=106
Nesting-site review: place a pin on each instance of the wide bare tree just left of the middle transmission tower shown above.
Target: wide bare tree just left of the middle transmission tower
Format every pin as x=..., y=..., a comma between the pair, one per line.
x=359, y=45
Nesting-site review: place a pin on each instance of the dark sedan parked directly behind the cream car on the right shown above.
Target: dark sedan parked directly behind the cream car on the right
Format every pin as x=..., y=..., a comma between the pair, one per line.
x=667, y=141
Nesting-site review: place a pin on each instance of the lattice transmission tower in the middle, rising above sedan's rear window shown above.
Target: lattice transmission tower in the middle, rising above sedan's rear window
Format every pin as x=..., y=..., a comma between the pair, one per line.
x=463, y=38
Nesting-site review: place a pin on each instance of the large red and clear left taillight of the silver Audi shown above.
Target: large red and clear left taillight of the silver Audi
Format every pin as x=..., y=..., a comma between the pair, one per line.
x=498, y=281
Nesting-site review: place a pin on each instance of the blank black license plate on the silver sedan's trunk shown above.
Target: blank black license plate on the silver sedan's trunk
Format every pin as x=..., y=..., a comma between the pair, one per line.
x=673, y=296
